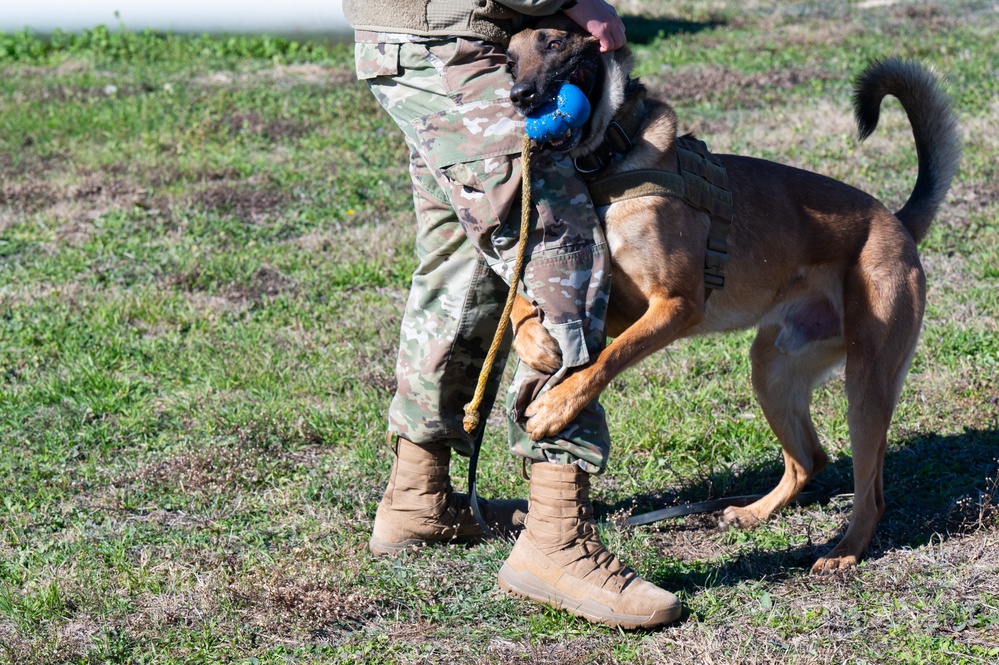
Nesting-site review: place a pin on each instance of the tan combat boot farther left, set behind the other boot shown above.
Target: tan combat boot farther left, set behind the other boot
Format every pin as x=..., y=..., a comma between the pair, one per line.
x=420, y=508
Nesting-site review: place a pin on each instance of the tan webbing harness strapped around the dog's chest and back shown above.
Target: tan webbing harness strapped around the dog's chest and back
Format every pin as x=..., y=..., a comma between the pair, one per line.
x=702, y=183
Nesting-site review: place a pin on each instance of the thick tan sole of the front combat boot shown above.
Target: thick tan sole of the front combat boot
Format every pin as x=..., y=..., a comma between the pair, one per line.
x=528, y=585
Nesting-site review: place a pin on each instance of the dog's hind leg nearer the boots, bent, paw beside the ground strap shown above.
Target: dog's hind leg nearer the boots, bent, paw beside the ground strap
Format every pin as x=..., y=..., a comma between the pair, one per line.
x=783, y=383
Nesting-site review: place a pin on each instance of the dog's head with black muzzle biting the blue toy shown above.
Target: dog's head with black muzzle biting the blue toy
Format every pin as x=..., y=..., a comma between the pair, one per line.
x=545, y=55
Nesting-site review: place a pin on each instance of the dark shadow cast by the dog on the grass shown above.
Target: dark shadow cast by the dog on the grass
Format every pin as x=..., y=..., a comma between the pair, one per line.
x=935, y=487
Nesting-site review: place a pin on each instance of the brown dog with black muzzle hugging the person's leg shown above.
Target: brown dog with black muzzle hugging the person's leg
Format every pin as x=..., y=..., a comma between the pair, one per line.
x=824, y=272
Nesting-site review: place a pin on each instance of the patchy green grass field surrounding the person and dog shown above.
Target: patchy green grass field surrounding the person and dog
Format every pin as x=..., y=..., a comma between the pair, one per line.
x=205, y=246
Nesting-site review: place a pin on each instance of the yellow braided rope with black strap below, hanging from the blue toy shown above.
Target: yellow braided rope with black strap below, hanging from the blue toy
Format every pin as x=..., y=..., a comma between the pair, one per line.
x=472, y=419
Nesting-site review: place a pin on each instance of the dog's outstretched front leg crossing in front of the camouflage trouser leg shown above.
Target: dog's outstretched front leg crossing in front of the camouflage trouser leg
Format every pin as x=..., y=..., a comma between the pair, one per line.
x=663, y=322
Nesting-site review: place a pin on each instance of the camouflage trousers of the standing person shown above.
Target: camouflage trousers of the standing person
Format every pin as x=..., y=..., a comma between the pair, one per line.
x=451, y=100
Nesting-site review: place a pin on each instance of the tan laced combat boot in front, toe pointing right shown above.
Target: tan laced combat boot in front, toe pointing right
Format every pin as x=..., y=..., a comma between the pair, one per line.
x=559, y=559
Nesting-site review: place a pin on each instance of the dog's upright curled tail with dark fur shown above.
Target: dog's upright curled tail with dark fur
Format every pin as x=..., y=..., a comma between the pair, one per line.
x=933, y=125
